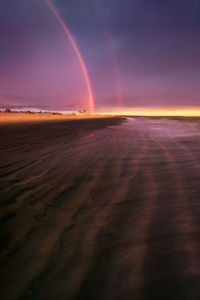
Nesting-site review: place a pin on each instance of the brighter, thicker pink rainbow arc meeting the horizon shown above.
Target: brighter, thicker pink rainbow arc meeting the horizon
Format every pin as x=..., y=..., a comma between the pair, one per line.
x=77, y=51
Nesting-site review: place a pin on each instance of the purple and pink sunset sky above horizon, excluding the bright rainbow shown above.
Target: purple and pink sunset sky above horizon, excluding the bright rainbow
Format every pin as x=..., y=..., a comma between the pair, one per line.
x=136, y=53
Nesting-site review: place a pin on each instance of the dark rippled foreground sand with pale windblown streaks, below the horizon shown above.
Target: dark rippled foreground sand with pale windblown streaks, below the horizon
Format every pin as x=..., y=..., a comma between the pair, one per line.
x=100, y=214
